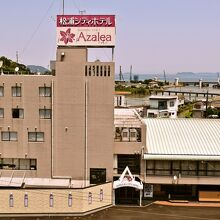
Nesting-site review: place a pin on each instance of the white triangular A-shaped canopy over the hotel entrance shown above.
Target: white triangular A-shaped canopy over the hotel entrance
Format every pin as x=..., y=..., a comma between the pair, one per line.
x=127, y=180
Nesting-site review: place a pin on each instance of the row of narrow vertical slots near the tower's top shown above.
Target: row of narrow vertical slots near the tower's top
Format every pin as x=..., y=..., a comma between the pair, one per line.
x=97, y=70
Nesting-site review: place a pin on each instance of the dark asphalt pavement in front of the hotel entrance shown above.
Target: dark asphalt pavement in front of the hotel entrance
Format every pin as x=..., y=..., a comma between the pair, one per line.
x=158, y=212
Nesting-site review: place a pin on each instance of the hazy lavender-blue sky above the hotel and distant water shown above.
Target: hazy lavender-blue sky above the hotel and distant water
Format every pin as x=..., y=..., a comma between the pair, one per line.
x=152, y=35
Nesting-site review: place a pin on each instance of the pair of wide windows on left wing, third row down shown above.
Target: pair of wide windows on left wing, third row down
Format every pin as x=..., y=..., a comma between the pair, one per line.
x=13, y=136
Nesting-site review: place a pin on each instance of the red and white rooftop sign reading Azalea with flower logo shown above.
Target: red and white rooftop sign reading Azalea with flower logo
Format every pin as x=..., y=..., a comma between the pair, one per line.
x=86, y=30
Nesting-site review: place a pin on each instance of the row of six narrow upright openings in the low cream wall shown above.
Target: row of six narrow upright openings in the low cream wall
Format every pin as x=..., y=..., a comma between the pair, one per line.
x=51, y=199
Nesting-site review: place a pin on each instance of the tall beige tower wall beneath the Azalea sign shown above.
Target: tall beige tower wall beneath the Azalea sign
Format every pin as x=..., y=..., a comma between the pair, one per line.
x=83, y=116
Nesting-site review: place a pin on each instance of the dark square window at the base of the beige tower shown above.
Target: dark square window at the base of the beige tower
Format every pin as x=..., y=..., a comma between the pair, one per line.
x=97, y=175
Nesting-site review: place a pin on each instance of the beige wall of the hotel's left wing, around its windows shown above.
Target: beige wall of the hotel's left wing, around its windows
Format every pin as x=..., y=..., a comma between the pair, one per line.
x=31, y=102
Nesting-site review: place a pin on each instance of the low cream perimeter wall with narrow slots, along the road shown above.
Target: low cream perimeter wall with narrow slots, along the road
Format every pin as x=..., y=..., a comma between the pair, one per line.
x=38, y=200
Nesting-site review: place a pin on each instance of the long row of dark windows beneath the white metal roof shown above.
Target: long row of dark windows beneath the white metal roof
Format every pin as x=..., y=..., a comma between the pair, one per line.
x=184, y=168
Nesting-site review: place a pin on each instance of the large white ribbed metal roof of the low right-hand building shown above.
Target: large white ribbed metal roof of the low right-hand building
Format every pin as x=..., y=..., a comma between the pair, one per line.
x=182, y=138
